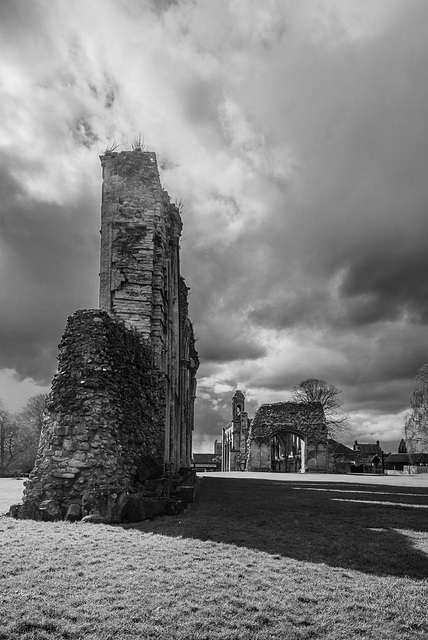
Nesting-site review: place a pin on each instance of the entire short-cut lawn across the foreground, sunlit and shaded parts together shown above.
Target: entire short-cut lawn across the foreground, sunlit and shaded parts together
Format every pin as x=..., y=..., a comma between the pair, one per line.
x=250, y=559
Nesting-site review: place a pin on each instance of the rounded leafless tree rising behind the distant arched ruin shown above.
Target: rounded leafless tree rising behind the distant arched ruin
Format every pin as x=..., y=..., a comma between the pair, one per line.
x=315, y=390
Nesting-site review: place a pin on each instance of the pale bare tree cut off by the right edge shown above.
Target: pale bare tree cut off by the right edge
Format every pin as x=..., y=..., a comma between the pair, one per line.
x=416, y=421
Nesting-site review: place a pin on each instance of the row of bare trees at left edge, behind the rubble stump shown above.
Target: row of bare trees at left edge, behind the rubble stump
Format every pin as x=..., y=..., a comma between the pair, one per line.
x=20, y=435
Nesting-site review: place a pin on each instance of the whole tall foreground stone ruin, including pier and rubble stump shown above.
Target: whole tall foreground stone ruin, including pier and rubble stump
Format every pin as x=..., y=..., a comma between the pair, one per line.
x=117, y=434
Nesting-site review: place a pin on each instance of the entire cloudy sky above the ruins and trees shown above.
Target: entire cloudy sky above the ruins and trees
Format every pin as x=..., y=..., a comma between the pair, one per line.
x=296, y=134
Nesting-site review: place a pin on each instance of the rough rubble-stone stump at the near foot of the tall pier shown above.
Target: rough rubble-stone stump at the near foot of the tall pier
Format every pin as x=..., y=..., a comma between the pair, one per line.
x=104, y=428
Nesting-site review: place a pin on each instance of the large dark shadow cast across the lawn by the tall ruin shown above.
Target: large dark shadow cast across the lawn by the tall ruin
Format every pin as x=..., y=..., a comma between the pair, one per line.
x=376, y=529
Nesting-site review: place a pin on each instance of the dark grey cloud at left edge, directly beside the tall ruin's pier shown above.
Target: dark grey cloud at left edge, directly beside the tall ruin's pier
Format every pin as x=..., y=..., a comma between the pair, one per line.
x=48, y=267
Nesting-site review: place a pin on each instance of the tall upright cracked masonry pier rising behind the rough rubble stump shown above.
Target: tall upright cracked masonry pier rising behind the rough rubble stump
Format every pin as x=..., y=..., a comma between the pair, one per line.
x=140, y=283
